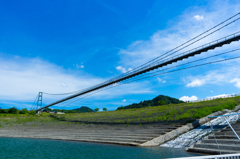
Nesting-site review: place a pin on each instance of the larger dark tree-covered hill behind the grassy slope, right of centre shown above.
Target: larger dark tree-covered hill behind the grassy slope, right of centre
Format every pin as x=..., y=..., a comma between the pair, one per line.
x=159, y=100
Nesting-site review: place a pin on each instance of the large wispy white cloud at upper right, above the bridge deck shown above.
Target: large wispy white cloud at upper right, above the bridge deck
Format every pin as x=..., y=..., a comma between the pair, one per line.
x=181, y=30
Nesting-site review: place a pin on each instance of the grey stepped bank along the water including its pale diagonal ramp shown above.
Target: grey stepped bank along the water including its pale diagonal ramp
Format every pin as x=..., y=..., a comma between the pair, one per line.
x=135, y=135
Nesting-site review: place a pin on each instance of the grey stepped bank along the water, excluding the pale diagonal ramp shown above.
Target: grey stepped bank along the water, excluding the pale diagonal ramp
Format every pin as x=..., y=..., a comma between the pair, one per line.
x=114, y=134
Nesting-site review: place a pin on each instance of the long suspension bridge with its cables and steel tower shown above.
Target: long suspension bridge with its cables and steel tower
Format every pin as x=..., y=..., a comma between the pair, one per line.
x=155, y=66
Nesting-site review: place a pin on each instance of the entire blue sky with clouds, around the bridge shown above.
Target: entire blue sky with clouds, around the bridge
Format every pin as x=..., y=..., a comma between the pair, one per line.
x=59, y=46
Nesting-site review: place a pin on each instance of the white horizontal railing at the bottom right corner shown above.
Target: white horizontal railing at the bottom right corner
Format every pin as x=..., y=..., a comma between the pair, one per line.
x=228, y=156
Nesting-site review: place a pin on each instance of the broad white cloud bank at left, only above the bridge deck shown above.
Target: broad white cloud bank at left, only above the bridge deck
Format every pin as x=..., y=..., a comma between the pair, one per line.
x=22, y=79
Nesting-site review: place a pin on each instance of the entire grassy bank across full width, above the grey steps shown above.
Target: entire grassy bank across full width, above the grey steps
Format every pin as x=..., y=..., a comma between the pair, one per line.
x=166, y=113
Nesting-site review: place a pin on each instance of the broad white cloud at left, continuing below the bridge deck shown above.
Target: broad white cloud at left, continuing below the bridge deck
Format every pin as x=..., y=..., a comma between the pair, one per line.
x=22, y=79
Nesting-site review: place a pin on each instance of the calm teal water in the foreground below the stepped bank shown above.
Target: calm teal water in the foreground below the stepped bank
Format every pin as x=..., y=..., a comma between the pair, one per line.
x=54, y=149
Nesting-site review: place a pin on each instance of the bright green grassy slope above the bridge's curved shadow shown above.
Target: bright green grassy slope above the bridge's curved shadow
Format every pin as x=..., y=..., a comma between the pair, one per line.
x=166, y=113
